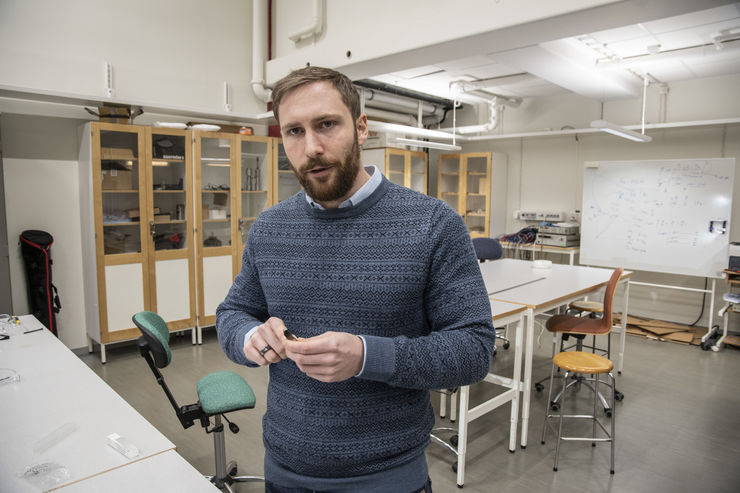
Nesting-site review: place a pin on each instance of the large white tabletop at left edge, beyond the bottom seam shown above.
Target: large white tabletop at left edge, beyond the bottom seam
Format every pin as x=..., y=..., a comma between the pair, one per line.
x=61, y=412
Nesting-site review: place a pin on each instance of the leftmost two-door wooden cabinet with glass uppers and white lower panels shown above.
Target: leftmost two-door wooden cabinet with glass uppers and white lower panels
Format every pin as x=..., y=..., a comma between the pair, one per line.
x=136, y=252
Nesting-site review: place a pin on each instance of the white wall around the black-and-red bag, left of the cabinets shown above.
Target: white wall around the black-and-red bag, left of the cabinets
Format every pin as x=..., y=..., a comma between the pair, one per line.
x=43, y=194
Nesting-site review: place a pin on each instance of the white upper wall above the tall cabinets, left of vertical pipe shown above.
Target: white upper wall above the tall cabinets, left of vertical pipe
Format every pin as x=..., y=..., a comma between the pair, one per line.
x=165, y=53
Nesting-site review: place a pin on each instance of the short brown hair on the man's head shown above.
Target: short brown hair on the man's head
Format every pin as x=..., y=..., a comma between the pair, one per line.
x=309, y=75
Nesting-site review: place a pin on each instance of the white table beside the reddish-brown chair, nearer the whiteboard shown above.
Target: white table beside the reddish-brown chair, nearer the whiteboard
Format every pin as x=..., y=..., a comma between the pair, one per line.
x=547, y=289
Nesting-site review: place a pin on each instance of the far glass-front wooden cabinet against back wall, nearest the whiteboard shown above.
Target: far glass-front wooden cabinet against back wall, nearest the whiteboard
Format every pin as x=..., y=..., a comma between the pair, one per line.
x=464, y=182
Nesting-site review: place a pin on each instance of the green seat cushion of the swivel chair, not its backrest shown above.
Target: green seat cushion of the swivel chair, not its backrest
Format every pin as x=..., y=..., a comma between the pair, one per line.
x=224, y=391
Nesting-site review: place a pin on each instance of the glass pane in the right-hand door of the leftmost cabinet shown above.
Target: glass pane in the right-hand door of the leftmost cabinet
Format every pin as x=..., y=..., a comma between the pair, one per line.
x=169, y=199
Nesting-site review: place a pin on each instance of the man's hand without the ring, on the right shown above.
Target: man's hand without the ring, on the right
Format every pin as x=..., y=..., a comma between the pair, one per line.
x=330, y=357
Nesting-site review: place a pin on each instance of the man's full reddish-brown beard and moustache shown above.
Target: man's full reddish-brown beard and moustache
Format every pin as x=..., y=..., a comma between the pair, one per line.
x=340, y=185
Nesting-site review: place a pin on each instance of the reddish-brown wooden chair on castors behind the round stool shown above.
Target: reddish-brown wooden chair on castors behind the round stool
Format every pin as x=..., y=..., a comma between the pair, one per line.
x=579, y=327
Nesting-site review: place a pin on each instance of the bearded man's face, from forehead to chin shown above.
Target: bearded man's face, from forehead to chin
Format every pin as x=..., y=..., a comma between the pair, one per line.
x=322, y=141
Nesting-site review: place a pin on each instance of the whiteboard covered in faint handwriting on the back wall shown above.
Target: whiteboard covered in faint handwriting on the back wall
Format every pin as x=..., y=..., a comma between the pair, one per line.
x=656, y=215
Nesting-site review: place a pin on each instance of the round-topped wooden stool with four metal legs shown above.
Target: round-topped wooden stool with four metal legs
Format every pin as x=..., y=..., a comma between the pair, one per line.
x=588, y=363
